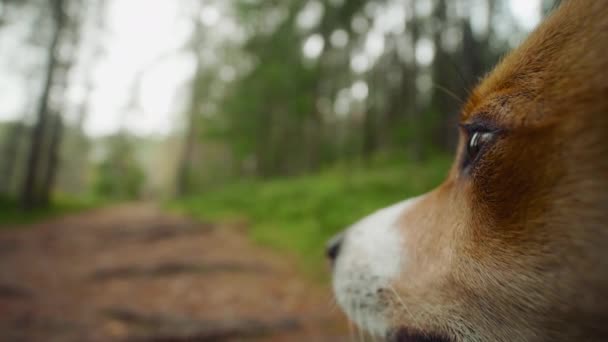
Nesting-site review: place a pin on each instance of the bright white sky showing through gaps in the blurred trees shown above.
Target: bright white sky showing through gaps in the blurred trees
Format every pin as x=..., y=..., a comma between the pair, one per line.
x=151, y=44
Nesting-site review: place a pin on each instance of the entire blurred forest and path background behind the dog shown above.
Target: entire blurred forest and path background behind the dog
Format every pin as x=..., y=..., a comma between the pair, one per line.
x=158, y=155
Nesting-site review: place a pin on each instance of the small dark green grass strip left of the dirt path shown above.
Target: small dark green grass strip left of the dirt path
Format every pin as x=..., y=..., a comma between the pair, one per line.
x=12, y=215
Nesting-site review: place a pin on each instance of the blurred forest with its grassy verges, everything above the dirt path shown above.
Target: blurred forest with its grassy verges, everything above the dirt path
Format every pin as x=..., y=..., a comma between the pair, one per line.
x=288, y=119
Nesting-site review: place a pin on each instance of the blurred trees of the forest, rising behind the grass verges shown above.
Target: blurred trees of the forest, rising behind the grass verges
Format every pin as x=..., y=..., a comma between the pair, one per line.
x=274, y=89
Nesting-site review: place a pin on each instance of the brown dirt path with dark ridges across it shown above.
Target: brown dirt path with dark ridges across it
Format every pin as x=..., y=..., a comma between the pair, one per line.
x=133, y=273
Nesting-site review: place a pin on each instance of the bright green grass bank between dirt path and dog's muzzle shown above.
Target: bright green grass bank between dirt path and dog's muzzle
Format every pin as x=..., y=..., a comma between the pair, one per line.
x=299, y=214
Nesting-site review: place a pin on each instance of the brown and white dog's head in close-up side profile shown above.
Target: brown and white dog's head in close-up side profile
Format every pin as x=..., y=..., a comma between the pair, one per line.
x=513, y=246
